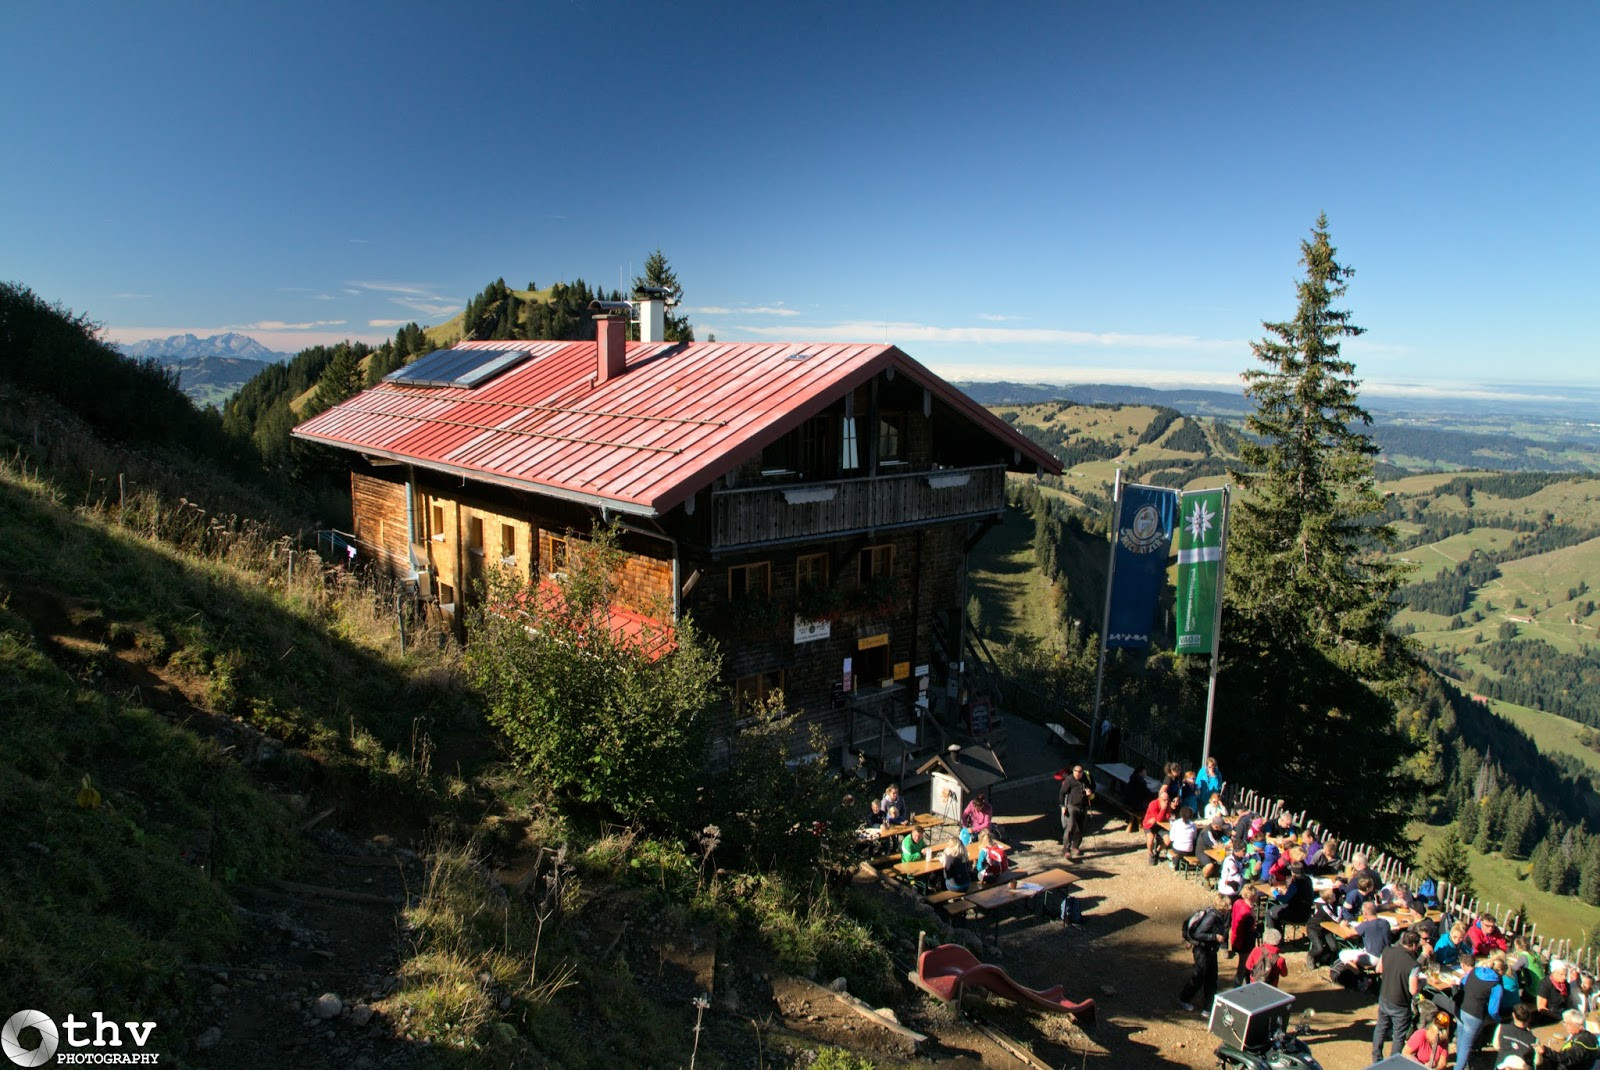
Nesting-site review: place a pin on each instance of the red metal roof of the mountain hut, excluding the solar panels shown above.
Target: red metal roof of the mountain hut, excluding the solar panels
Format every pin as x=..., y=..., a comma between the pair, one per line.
x=650, y=439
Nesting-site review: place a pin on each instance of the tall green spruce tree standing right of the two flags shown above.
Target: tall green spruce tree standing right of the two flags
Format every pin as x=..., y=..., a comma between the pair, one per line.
x=1310, y=597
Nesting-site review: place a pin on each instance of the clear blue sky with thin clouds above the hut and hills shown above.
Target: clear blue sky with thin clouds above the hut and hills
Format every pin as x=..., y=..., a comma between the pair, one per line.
x=1041, y=191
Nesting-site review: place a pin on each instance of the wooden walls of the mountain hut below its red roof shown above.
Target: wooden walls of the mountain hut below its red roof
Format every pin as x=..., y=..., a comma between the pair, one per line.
x=830, y=564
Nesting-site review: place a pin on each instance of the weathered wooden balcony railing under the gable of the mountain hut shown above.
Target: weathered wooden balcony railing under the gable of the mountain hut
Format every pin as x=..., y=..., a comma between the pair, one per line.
x=793, y=513
